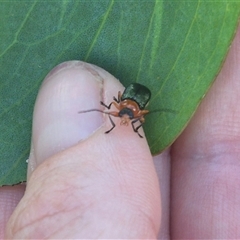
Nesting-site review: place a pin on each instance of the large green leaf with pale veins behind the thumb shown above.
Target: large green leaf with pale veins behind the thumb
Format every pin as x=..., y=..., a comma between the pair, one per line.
x=175, y=48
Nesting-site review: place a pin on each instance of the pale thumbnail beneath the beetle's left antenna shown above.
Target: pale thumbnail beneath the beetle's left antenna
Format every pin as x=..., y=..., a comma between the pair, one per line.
x=69, y=88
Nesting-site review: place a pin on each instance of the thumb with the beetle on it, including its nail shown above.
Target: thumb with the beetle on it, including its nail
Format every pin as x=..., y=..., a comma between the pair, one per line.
x=85, y=183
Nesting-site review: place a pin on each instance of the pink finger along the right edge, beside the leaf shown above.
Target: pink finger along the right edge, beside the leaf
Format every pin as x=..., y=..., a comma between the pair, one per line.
x=205, y=169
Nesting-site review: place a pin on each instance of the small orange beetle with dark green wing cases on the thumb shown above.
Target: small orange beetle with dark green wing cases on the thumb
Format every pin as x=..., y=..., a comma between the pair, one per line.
x=130, y=106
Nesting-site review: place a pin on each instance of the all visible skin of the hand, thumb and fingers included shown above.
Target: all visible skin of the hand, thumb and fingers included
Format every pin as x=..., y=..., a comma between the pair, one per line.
x=83, y=183
